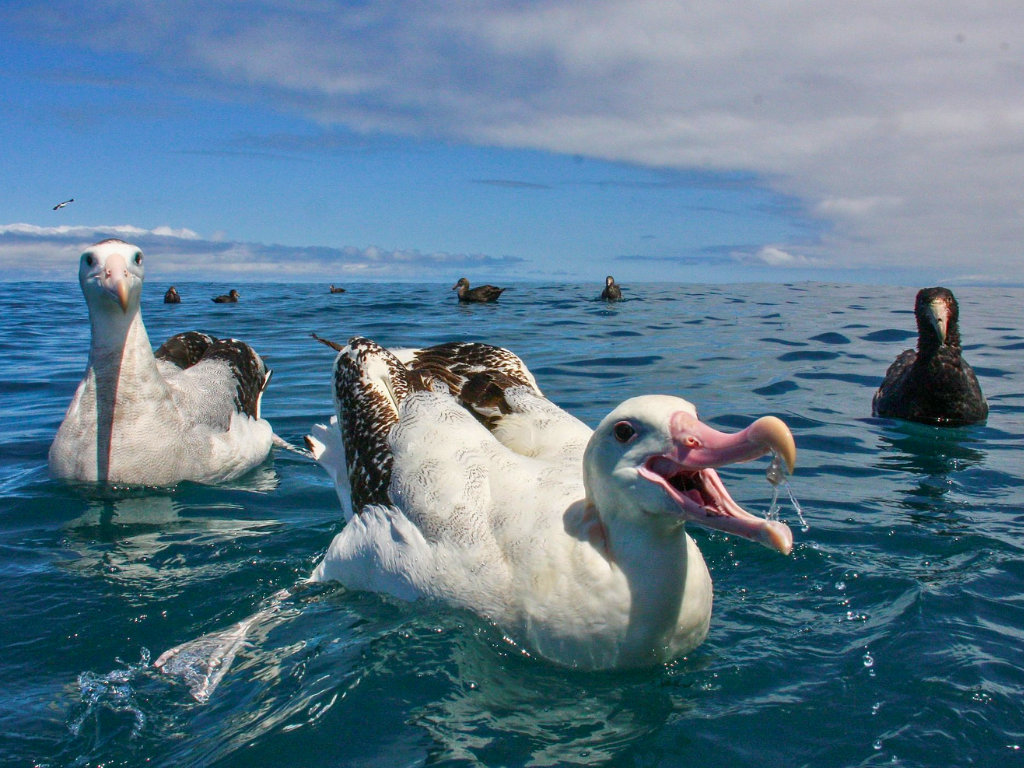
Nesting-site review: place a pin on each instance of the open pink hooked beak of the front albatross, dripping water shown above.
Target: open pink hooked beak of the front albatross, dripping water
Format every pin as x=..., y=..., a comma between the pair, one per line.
x=687, y=473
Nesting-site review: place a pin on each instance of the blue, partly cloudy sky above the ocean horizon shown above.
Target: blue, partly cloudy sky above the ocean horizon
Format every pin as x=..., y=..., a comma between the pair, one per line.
x=550, y=141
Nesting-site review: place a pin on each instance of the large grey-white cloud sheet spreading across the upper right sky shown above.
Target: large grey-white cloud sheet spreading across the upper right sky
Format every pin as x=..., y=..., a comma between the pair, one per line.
x=901, y=126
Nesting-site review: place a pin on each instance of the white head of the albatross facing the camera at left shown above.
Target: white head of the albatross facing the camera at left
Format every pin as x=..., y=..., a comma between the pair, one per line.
x=111, y=274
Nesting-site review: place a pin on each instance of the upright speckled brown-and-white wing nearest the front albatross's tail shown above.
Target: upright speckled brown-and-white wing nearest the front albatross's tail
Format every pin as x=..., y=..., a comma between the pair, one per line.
x=370, y=385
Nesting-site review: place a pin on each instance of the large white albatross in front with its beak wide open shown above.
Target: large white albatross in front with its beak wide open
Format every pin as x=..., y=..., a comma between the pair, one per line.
x=572, y=541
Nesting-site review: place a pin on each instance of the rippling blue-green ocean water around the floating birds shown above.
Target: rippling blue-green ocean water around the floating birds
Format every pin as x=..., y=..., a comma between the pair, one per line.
x=893, y=635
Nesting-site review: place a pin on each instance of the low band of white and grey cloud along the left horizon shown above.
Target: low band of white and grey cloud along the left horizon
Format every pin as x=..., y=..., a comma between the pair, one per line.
x=29, y=252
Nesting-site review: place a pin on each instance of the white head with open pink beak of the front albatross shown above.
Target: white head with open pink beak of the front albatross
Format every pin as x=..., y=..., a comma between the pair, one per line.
x=651, y=463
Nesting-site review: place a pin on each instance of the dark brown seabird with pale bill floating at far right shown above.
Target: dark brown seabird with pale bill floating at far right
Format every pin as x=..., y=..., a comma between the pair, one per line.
x=934, y=385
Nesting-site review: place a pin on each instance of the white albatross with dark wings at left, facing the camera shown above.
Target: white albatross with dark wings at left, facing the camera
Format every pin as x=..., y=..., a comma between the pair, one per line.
x=189, y=412
